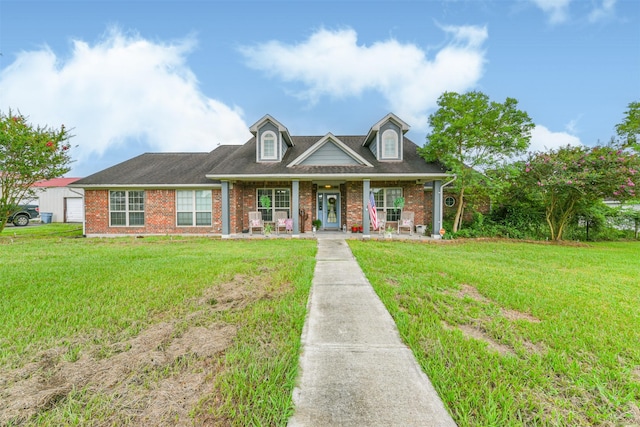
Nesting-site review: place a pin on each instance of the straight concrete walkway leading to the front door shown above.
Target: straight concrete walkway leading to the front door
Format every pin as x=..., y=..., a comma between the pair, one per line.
x=354, y=368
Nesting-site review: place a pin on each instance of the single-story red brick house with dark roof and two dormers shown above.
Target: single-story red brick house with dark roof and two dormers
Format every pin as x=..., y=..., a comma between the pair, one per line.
x=328, y=177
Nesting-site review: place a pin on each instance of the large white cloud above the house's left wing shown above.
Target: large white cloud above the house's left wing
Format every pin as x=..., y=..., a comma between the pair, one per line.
x=122, y=88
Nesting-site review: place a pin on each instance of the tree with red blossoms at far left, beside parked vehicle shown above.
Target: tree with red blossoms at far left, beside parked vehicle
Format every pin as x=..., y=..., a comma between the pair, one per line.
x=28, y=154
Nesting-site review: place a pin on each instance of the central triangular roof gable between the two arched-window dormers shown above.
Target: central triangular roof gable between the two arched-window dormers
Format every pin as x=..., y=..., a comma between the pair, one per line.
x=329, y=151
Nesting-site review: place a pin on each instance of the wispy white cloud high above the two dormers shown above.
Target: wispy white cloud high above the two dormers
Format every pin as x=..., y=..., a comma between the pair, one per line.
x=333, y=64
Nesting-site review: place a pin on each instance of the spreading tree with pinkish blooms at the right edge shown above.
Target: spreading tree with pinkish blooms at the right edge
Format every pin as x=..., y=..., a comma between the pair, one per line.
x=572, y=179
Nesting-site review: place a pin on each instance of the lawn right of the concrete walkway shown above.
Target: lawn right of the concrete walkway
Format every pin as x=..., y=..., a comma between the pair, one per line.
x=552, y=332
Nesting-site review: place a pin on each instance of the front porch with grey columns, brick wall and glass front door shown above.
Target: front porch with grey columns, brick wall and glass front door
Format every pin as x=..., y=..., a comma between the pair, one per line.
x=334, y=206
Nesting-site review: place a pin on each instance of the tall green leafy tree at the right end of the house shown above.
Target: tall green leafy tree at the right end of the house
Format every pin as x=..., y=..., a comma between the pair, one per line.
x=471, y=134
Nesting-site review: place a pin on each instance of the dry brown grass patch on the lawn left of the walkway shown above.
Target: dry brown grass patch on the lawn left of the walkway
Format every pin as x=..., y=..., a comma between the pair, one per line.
x=155, y=378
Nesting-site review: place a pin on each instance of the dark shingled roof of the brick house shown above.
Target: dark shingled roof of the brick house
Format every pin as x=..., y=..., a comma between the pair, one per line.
x=228, y=160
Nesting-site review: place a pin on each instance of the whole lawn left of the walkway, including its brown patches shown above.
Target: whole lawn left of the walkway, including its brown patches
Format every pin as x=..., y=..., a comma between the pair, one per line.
x=149, y=331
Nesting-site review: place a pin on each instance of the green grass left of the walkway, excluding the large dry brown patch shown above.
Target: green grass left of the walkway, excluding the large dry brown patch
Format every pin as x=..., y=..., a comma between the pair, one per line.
x=88, y=296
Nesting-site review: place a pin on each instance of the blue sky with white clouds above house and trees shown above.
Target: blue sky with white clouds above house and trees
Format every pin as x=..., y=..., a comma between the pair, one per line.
x=163, y=76
